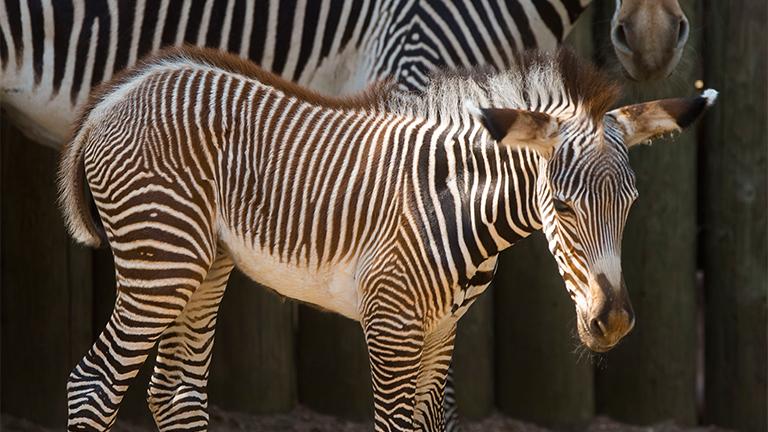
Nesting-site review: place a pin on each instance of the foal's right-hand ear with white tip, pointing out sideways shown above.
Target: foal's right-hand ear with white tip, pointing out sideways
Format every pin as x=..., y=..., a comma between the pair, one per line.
x=644, y=122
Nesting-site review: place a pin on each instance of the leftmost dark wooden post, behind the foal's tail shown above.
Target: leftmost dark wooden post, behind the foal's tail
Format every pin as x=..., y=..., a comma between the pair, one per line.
x=46, y=305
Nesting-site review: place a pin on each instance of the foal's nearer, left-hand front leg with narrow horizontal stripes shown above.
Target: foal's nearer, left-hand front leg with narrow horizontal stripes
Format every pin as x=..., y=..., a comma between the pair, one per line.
x=394, y=349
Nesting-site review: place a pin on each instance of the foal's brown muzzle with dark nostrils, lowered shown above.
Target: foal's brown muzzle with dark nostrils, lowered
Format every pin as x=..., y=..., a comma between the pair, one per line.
x=609, y=316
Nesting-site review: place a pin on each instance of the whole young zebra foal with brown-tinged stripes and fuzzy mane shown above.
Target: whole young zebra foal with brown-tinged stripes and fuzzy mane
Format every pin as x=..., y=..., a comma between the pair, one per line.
x=388, y=208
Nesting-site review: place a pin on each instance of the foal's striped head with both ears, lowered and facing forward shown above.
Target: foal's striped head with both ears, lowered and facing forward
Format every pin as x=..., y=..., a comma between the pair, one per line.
x=585, y=188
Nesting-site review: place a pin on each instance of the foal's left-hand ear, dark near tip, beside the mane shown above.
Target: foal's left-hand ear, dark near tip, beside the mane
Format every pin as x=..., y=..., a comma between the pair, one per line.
x=520, y=128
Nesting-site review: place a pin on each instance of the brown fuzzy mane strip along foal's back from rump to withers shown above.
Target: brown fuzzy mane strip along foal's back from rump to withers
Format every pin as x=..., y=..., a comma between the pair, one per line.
x=371, y=97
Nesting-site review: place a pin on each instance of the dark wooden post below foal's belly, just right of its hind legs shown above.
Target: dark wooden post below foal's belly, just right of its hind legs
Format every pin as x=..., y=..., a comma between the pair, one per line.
x=253, y=367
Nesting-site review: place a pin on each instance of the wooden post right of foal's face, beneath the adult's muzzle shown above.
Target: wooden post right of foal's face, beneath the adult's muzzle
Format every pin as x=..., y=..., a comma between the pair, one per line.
x=650, y=376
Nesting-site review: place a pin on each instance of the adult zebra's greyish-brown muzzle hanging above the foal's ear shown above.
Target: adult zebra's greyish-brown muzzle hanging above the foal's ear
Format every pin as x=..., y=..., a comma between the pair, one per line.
x=648, y=37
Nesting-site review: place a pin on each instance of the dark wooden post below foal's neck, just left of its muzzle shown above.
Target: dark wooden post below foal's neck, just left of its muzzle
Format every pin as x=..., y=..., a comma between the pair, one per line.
x=539, y=377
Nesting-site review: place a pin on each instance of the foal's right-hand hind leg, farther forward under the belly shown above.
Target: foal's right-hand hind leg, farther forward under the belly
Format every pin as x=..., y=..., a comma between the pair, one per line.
x=177, y=393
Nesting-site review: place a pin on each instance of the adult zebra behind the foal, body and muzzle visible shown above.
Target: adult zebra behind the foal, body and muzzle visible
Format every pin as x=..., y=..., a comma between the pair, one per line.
x=52, y=52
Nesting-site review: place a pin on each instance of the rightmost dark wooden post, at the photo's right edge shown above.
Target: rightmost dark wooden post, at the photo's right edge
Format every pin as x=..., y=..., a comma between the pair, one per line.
x=734, y=210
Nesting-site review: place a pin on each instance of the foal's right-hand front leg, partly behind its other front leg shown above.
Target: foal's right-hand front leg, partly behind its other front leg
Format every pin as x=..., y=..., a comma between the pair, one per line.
x=433, y=374
